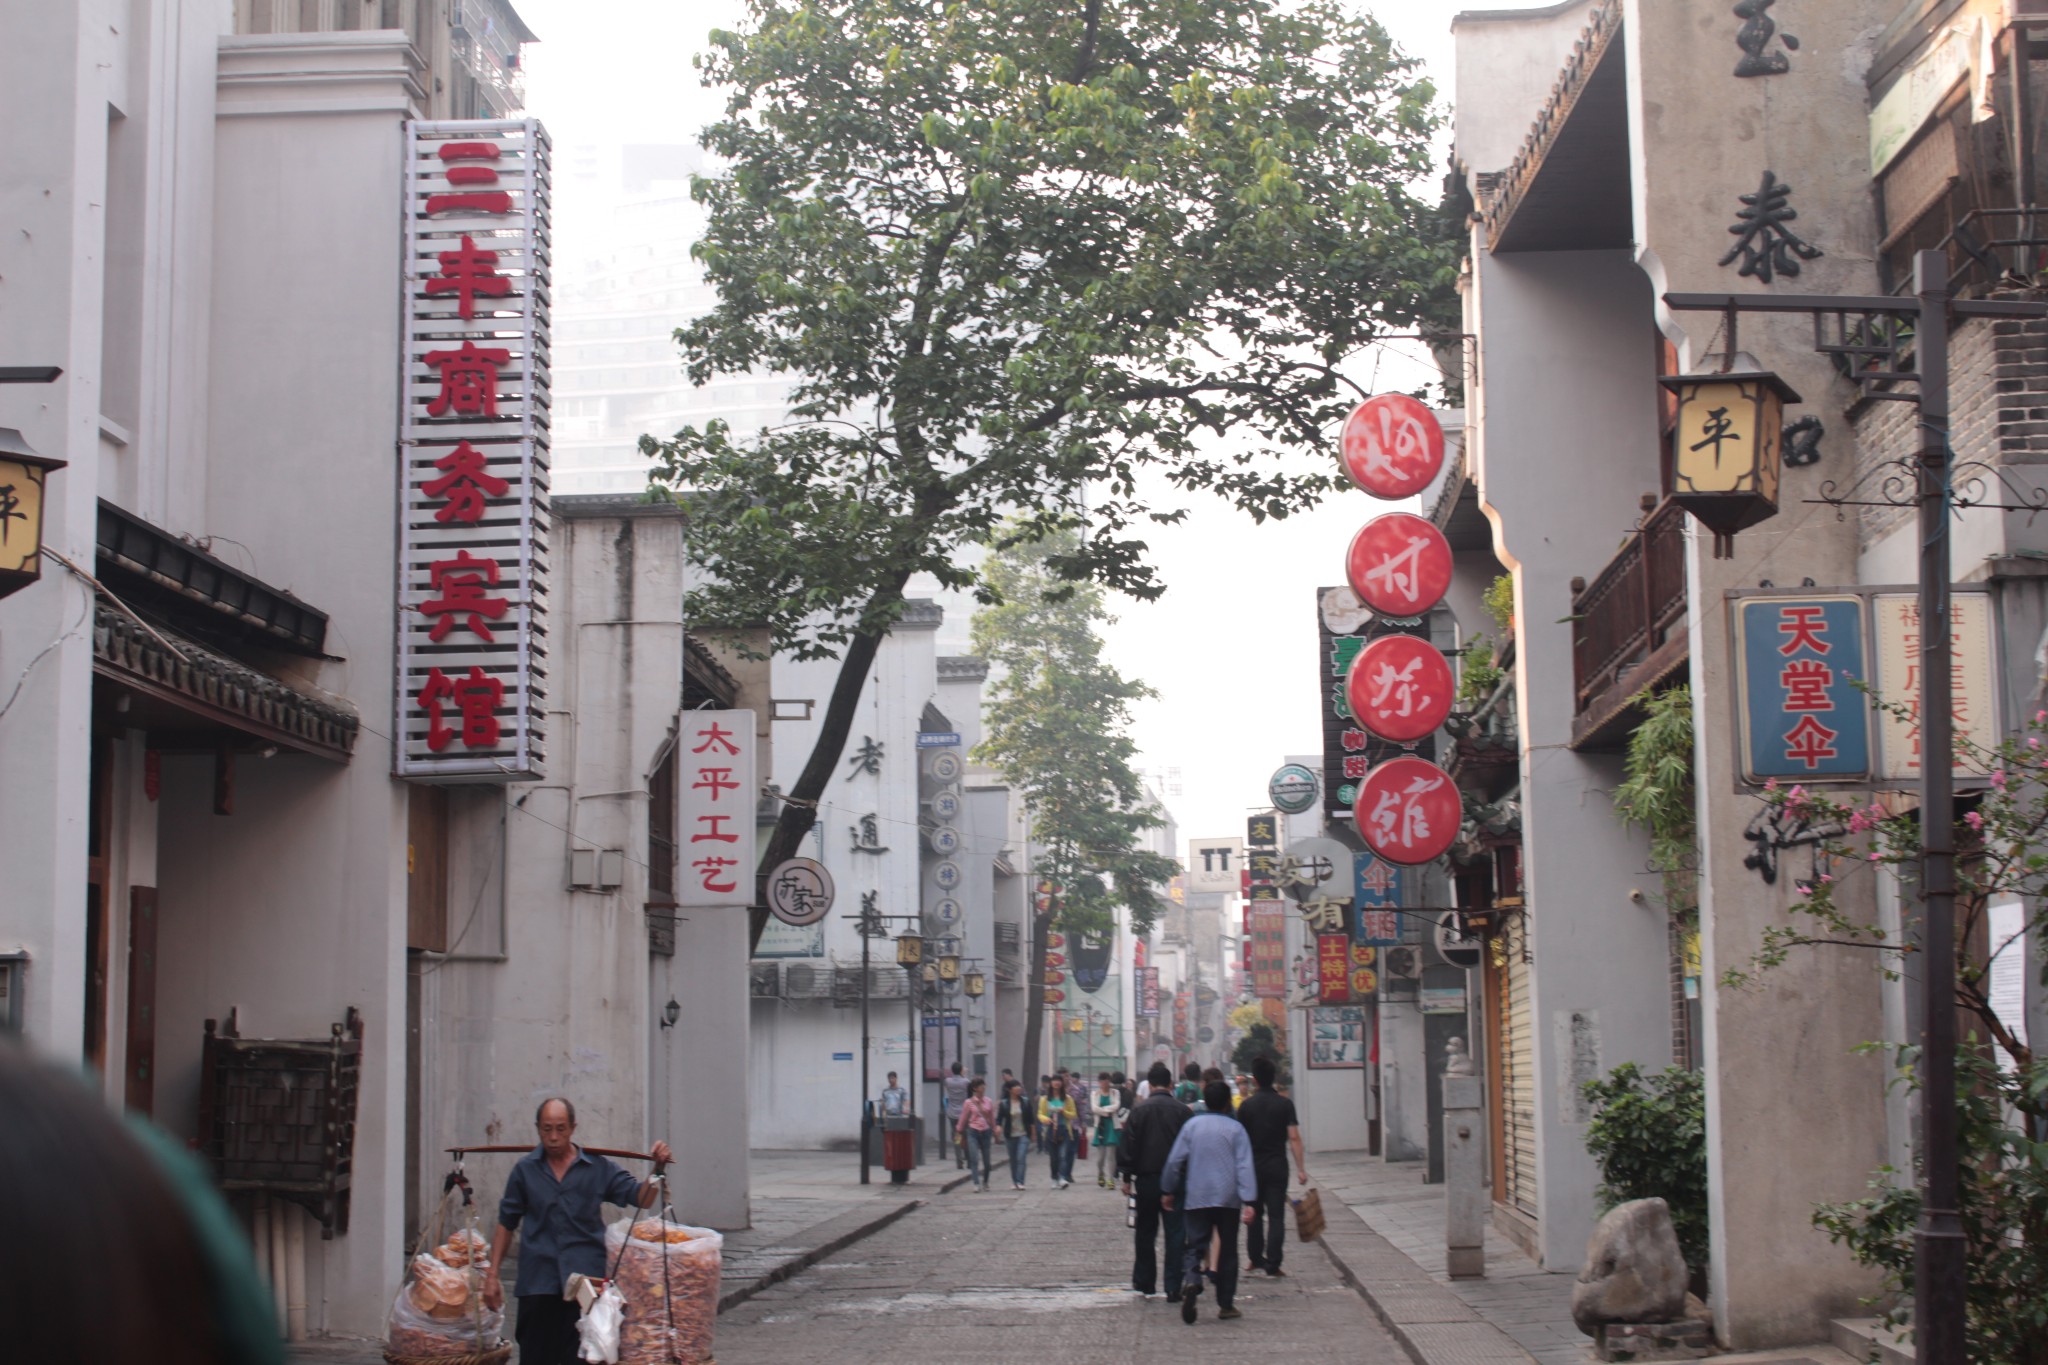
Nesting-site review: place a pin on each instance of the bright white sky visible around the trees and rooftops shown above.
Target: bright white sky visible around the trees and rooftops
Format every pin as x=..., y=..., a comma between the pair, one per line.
x=1232, y=646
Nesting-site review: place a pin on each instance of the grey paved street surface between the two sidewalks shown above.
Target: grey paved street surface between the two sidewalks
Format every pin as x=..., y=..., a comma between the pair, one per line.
x=1046, y=1276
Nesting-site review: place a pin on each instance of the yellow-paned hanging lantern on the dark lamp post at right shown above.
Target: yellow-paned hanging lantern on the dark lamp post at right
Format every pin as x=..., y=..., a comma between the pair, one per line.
x=1725, y=449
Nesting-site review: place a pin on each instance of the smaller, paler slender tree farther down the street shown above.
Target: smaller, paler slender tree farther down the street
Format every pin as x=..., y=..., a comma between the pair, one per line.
x=1056, y=730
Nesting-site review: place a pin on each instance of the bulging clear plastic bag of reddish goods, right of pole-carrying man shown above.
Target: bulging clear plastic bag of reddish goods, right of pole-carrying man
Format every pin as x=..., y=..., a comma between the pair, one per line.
x=669, y=1276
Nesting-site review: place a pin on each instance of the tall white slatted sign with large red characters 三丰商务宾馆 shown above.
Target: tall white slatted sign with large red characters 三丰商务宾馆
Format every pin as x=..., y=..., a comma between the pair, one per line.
x=472, y=595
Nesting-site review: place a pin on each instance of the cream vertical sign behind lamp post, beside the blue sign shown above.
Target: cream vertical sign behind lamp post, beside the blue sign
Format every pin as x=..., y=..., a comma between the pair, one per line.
x=1900, y=678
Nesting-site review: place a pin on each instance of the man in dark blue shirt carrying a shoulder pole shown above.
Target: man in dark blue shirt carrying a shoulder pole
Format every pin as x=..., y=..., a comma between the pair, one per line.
x=554, y=1204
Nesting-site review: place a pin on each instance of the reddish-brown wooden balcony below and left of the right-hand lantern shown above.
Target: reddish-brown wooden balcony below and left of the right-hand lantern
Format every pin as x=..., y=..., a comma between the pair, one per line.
x=1629, y=629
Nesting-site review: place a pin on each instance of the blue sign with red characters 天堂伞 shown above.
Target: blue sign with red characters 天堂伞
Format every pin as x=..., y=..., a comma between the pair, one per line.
x=1797, y=668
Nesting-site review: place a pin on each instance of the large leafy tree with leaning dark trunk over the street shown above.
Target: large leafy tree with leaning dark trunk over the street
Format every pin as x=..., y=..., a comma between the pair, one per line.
x=1021, y=251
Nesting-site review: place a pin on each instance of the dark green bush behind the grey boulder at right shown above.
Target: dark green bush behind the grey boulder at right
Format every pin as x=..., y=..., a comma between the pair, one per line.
x=1650, y=1139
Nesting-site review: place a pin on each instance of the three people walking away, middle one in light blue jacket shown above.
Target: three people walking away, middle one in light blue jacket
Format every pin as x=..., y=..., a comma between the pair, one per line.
x=1199, y=1170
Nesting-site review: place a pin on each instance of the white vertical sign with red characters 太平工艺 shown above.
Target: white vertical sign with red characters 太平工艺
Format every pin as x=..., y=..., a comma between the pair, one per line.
x=716, y=805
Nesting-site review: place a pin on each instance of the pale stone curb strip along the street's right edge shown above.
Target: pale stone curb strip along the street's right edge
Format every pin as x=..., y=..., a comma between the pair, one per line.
x=1431, y=1323
